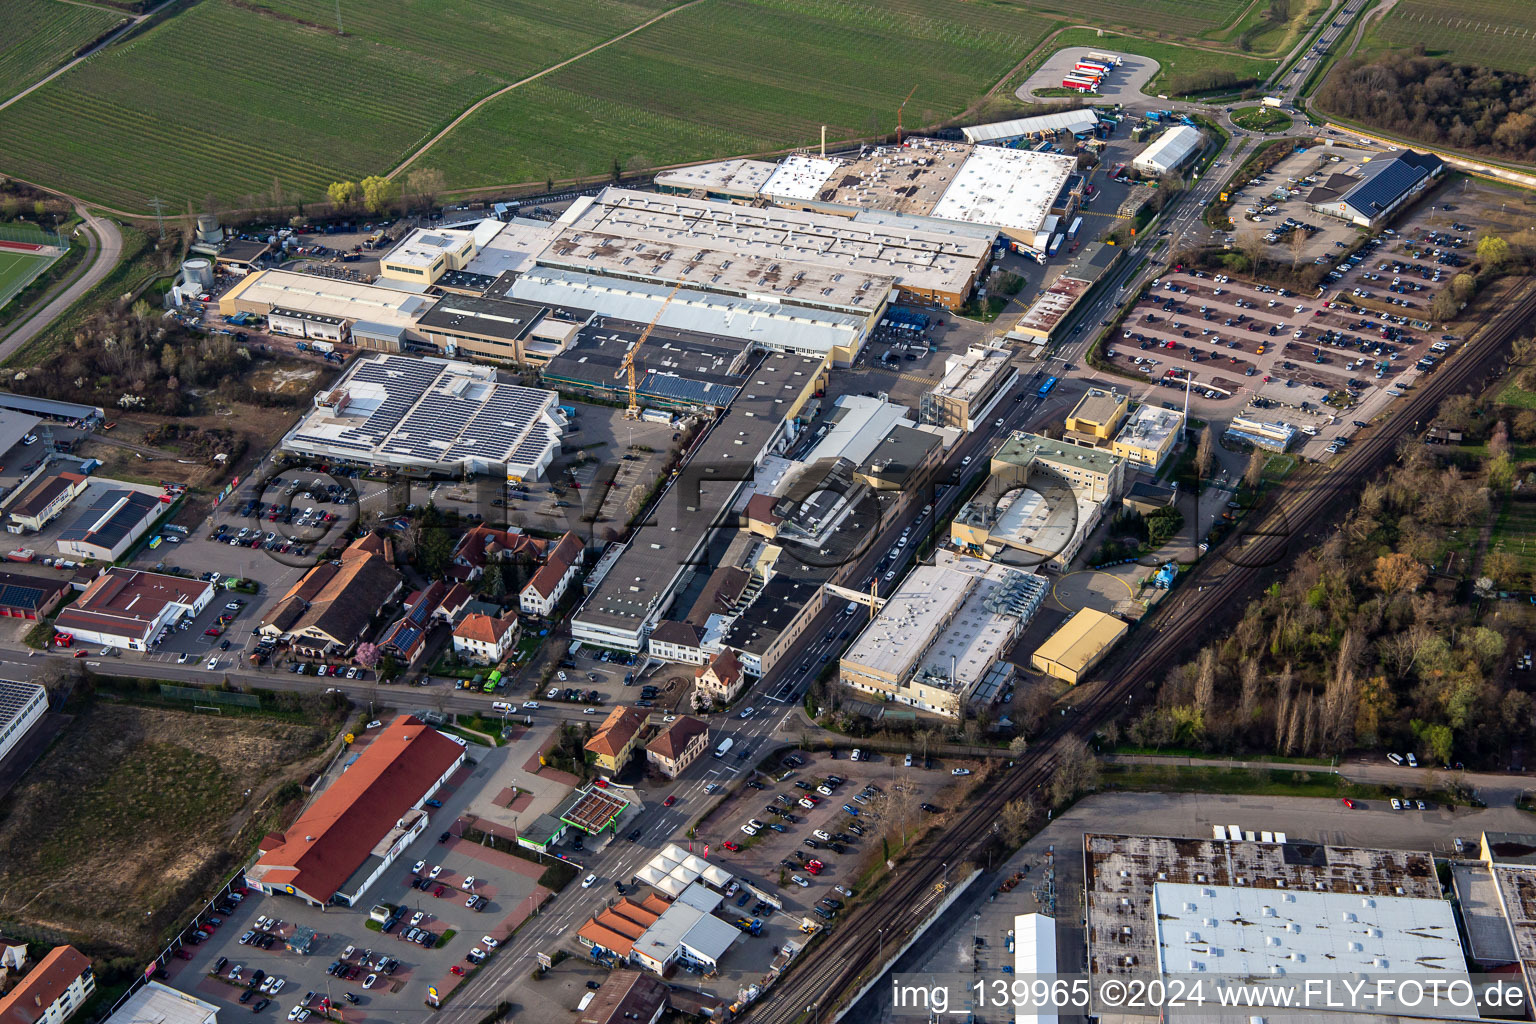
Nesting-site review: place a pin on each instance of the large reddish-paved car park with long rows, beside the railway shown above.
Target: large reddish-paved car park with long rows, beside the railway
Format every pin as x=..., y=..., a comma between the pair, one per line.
x=1233, y=342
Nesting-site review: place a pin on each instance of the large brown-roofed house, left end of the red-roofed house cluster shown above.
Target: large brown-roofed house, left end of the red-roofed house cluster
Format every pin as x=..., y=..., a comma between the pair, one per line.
x=328, y=610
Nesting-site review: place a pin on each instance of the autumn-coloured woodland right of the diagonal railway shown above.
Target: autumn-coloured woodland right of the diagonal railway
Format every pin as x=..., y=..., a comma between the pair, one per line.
x=1377, y=639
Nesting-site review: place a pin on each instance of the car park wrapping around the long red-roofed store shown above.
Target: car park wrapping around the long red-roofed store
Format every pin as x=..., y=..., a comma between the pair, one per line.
x=388, y=973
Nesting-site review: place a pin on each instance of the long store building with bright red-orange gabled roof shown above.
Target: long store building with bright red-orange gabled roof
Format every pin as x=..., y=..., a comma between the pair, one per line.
x=354, y=831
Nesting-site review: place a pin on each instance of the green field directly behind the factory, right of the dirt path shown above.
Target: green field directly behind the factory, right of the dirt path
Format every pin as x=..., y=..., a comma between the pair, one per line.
x=741, y=76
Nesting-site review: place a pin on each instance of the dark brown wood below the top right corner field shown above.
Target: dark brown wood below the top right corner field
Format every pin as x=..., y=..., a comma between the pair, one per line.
x=1475, y=110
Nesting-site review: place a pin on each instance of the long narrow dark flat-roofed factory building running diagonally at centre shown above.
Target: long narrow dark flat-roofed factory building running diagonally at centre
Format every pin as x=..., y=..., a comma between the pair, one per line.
x=635, y=583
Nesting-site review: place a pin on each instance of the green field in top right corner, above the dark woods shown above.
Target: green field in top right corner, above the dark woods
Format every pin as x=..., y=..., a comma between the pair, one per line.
x=1491, y=33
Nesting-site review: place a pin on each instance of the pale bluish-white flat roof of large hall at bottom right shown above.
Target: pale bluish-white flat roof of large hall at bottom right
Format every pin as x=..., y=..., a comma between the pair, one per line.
x=1270, y=933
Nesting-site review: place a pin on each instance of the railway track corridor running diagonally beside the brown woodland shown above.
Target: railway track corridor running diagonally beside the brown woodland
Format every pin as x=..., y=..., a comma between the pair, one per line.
x=1216, y=590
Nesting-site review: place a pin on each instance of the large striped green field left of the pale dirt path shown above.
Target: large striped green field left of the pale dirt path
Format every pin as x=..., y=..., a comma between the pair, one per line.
x=290, y=102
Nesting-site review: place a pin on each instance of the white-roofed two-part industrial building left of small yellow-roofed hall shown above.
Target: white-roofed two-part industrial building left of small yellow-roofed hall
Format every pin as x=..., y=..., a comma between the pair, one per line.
x=941, y=639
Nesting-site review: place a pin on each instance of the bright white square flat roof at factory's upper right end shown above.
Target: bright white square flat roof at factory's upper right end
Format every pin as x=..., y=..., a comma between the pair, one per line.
x=1010, y=188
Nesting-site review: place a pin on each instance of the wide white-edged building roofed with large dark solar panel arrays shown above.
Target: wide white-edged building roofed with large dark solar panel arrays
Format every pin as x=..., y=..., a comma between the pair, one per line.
x=431, y=415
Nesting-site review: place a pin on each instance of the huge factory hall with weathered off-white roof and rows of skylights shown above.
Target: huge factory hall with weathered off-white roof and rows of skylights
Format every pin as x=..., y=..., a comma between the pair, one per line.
x=792, y=257
